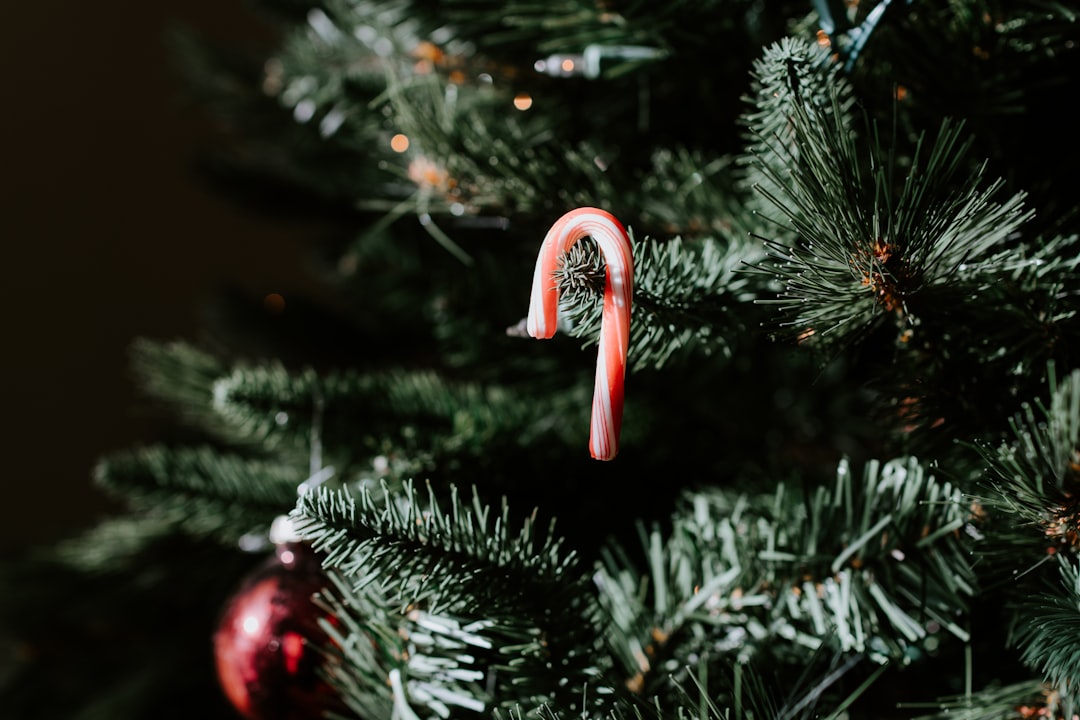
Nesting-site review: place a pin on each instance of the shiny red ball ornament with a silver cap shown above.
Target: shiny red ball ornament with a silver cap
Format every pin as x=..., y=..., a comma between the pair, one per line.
x=267, y=664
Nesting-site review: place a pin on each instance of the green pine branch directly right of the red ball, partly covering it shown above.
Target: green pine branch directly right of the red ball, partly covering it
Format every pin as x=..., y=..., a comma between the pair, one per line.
x=460, y=573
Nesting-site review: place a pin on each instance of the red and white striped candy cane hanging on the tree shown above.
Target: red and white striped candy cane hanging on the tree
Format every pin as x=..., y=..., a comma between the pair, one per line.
x=615, y=323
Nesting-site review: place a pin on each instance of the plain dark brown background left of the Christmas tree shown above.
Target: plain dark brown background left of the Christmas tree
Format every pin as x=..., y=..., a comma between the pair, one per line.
x=109, y=236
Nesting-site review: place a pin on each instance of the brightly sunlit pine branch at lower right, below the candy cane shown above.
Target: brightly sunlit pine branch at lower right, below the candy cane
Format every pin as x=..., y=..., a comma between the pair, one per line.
x=867, y=567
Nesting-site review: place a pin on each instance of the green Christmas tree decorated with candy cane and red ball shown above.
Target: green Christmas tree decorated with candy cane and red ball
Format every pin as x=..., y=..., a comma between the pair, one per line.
x=825, y=257
